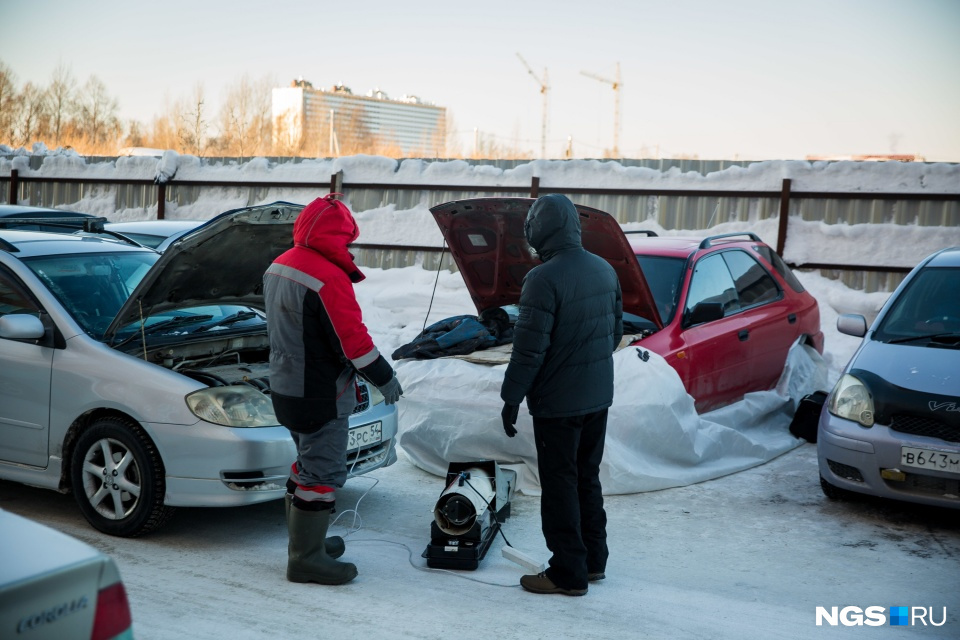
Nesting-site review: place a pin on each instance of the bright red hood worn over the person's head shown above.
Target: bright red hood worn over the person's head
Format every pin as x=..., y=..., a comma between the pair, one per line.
x=326, y=226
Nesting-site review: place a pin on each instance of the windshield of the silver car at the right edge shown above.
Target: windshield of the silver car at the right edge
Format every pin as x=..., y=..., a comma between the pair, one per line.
x=928, y=309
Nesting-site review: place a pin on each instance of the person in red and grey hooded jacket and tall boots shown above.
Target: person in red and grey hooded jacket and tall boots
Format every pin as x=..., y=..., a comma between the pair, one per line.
x=318, y=345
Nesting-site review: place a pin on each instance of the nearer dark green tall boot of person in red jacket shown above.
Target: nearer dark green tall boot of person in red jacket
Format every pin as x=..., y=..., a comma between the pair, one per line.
x=307, y=559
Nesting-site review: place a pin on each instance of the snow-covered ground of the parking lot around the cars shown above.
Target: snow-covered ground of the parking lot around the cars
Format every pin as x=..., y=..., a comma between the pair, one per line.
x=747, y=555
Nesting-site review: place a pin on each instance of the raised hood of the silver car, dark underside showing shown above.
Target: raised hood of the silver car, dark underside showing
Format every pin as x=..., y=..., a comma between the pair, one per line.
x=219, y=262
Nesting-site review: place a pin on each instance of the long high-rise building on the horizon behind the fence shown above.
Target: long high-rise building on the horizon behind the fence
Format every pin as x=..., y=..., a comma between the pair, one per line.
x=334, y=122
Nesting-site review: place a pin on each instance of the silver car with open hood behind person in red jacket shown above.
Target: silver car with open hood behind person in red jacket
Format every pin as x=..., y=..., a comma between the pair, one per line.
x=140, y=381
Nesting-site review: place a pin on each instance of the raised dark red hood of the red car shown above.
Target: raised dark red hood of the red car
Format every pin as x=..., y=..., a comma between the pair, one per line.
x=486, y=239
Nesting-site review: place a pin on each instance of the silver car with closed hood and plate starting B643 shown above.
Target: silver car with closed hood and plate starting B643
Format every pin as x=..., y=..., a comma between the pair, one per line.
x=891, y=425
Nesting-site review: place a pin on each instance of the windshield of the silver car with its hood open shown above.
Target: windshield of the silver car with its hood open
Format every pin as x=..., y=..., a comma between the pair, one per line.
x=92, y=287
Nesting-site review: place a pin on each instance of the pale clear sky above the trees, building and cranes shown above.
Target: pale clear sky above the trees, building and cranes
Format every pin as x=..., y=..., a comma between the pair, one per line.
x=751, y=79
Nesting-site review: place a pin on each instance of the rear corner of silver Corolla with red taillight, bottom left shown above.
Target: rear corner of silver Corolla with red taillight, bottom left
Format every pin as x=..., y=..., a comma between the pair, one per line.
x=53, y=586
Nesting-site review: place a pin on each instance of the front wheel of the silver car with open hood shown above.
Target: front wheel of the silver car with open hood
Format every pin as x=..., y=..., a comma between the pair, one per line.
x=117, y=478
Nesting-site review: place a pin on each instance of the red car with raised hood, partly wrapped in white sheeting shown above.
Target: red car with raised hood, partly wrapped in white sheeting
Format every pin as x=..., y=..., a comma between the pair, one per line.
x=723, y=311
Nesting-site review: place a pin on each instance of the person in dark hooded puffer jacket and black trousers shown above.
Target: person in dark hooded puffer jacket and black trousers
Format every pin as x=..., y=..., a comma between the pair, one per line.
x=569, y=325
